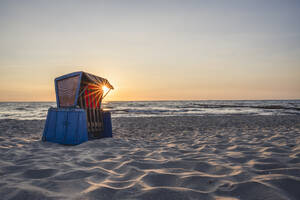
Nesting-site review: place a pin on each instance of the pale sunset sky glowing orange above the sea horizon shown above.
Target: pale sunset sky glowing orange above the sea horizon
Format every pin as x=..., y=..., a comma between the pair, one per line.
x=152, y=50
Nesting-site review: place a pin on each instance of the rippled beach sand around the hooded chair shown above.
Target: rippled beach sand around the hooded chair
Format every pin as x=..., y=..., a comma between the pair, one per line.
x=209, y=157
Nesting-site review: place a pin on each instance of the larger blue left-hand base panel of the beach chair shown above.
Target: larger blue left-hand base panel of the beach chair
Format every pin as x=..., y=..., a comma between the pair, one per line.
x=66, y=126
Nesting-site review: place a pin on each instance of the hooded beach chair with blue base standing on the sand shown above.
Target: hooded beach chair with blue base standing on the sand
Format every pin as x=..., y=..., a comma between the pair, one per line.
x=78, y=116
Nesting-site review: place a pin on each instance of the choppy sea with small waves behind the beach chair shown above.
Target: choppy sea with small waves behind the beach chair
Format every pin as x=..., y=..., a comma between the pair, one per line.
x=38, y=110
